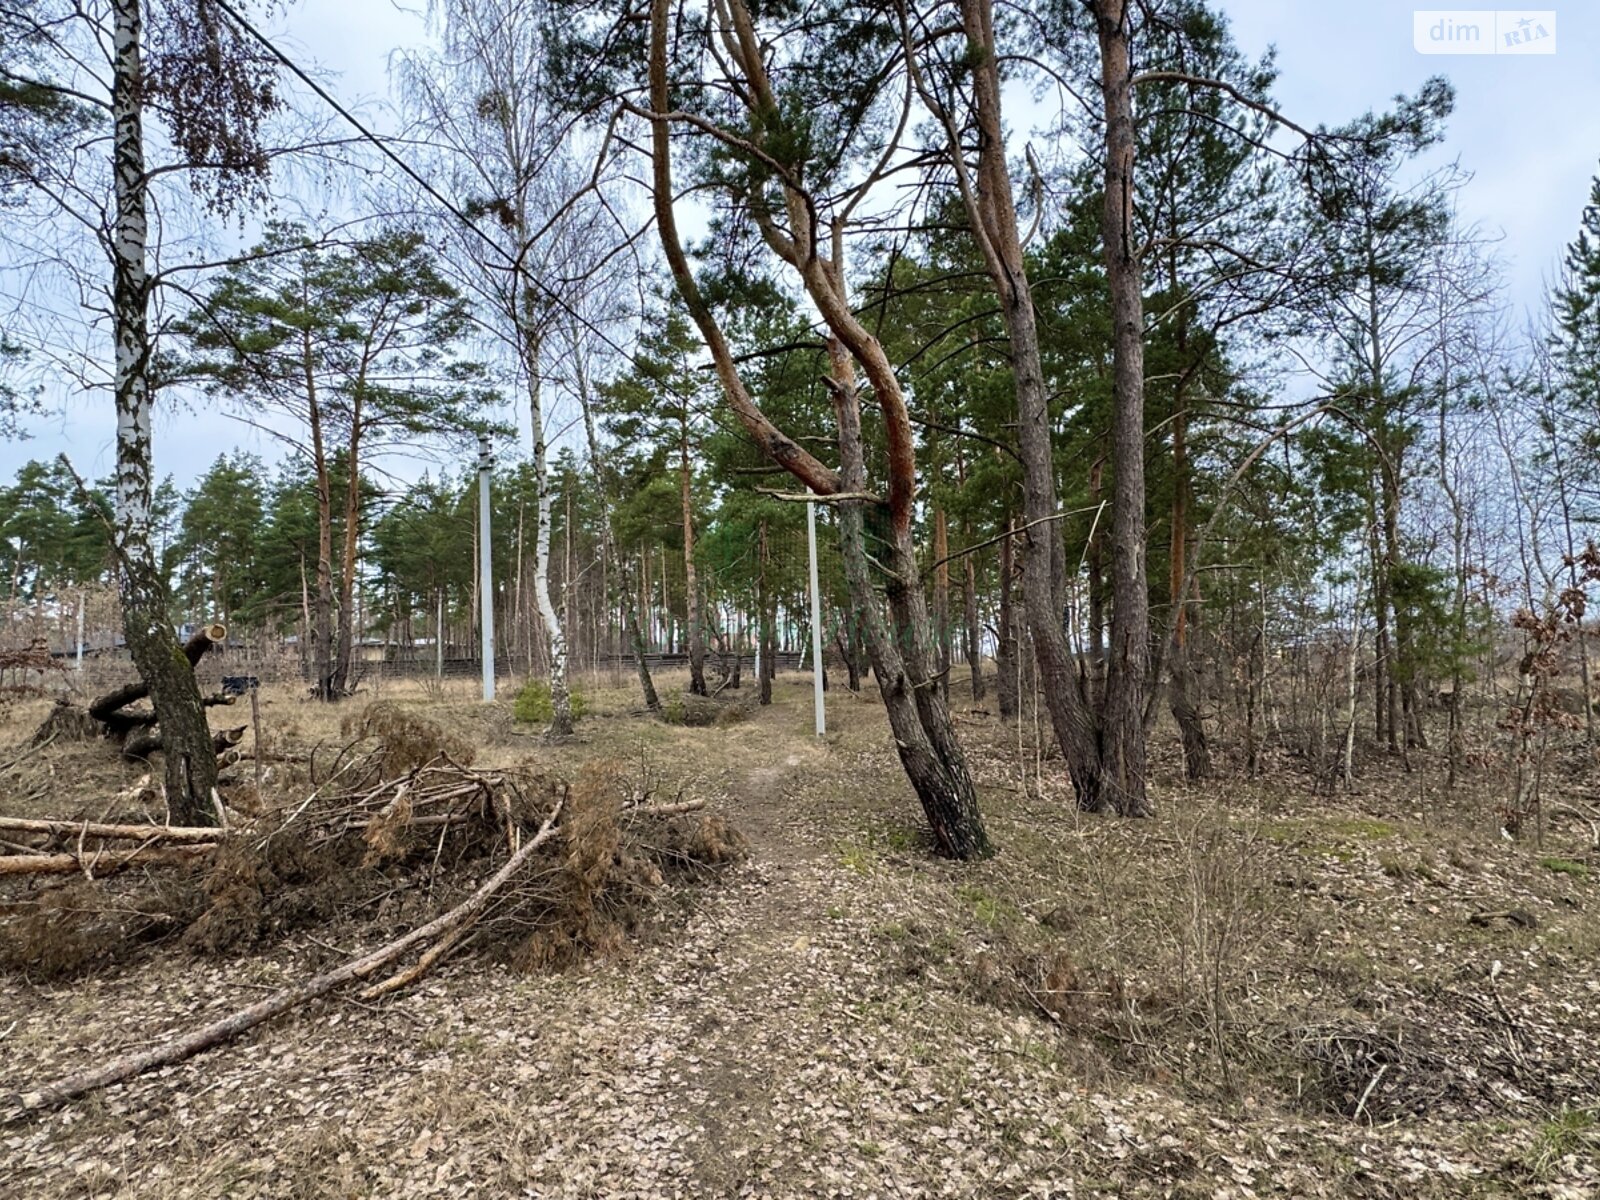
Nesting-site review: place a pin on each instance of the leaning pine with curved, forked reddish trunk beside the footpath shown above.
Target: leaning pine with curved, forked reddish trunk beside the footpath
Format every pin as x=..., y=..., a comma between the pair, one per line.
x=775, y=172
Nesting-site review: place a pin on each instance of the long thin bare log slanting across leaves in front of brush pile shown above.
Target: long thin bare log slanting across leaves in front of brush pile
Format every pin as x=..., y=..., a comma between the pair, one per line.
x=198, y=1041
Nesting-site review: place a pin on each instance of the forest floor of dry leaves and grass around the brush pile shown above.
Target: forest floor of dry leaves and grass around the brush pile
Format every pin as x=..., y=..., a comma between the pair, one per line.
x=1258, y=993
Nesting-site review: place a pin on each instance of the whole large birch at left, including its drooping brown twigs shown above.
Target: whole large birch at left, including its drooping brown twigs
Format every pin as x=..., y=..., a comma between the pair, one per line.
x=214, y=92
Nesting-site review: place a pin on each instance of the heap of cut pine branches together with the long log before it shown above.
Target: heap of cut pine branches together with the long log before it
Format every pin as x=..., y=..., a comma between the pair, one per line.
x=582, y=862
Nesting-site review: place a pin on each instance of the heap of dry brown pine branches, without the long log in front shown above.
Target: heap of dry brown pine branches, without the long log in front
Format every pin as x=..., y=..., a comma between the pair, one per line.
x=394, y=831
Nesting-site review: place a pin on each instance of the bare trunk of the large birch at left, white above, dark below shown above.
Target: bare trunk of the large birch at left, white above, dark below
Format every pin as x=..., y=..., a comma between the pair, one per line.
x=191, y=764
